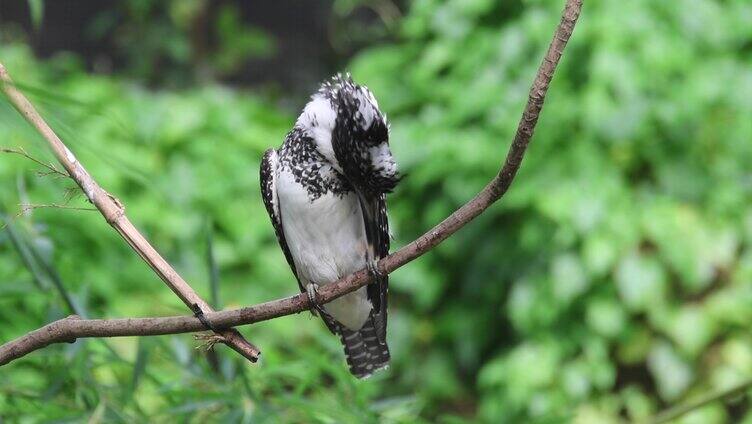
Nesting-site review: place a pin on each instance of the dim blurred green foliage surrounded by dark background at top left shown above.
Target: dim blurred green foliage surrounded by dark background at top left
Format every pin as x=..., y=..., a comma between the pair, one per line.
x=176, y=42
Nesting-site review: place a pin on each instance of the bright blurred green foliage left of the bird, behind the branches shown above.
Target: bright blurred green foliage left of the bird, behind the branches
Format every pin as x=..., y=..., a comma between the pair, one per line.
x=175, y=159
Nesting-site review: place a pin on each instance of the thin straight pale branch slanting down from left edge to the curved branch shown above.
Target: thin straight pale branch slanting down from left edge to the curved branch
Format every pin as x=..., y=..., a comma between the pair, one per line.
x=114, y=213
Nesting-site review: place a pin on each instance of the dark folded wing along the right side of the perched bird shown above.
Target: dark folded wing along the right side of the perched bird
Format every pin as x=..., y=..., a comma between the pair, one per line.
x=377, y=233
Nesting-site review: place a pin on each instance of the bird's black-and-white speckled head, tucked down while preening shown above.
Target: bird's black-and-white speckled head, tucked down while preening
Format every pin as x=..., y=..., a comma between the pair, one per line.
x=352, y=134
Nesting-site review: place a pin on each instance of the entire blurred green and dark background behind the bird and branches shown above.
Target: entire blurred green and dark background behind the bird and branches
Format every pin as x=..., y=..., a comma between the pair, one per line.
x=612, y=281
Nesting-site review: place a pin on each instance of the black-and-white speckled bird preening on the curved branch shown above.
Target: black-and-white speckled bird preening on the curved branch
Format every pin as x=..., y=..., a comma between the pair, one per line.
x=325, y=191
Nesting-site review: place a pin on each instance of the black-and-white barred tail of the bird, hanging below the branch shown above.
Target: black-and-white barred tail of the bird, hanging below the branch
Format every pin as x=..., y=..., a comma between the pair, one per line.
x=364, y=352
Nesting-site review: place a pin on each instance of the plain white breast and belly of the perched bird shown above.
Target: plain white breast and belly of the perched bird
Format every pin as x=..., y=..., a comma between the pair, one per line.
x=326, y=237
